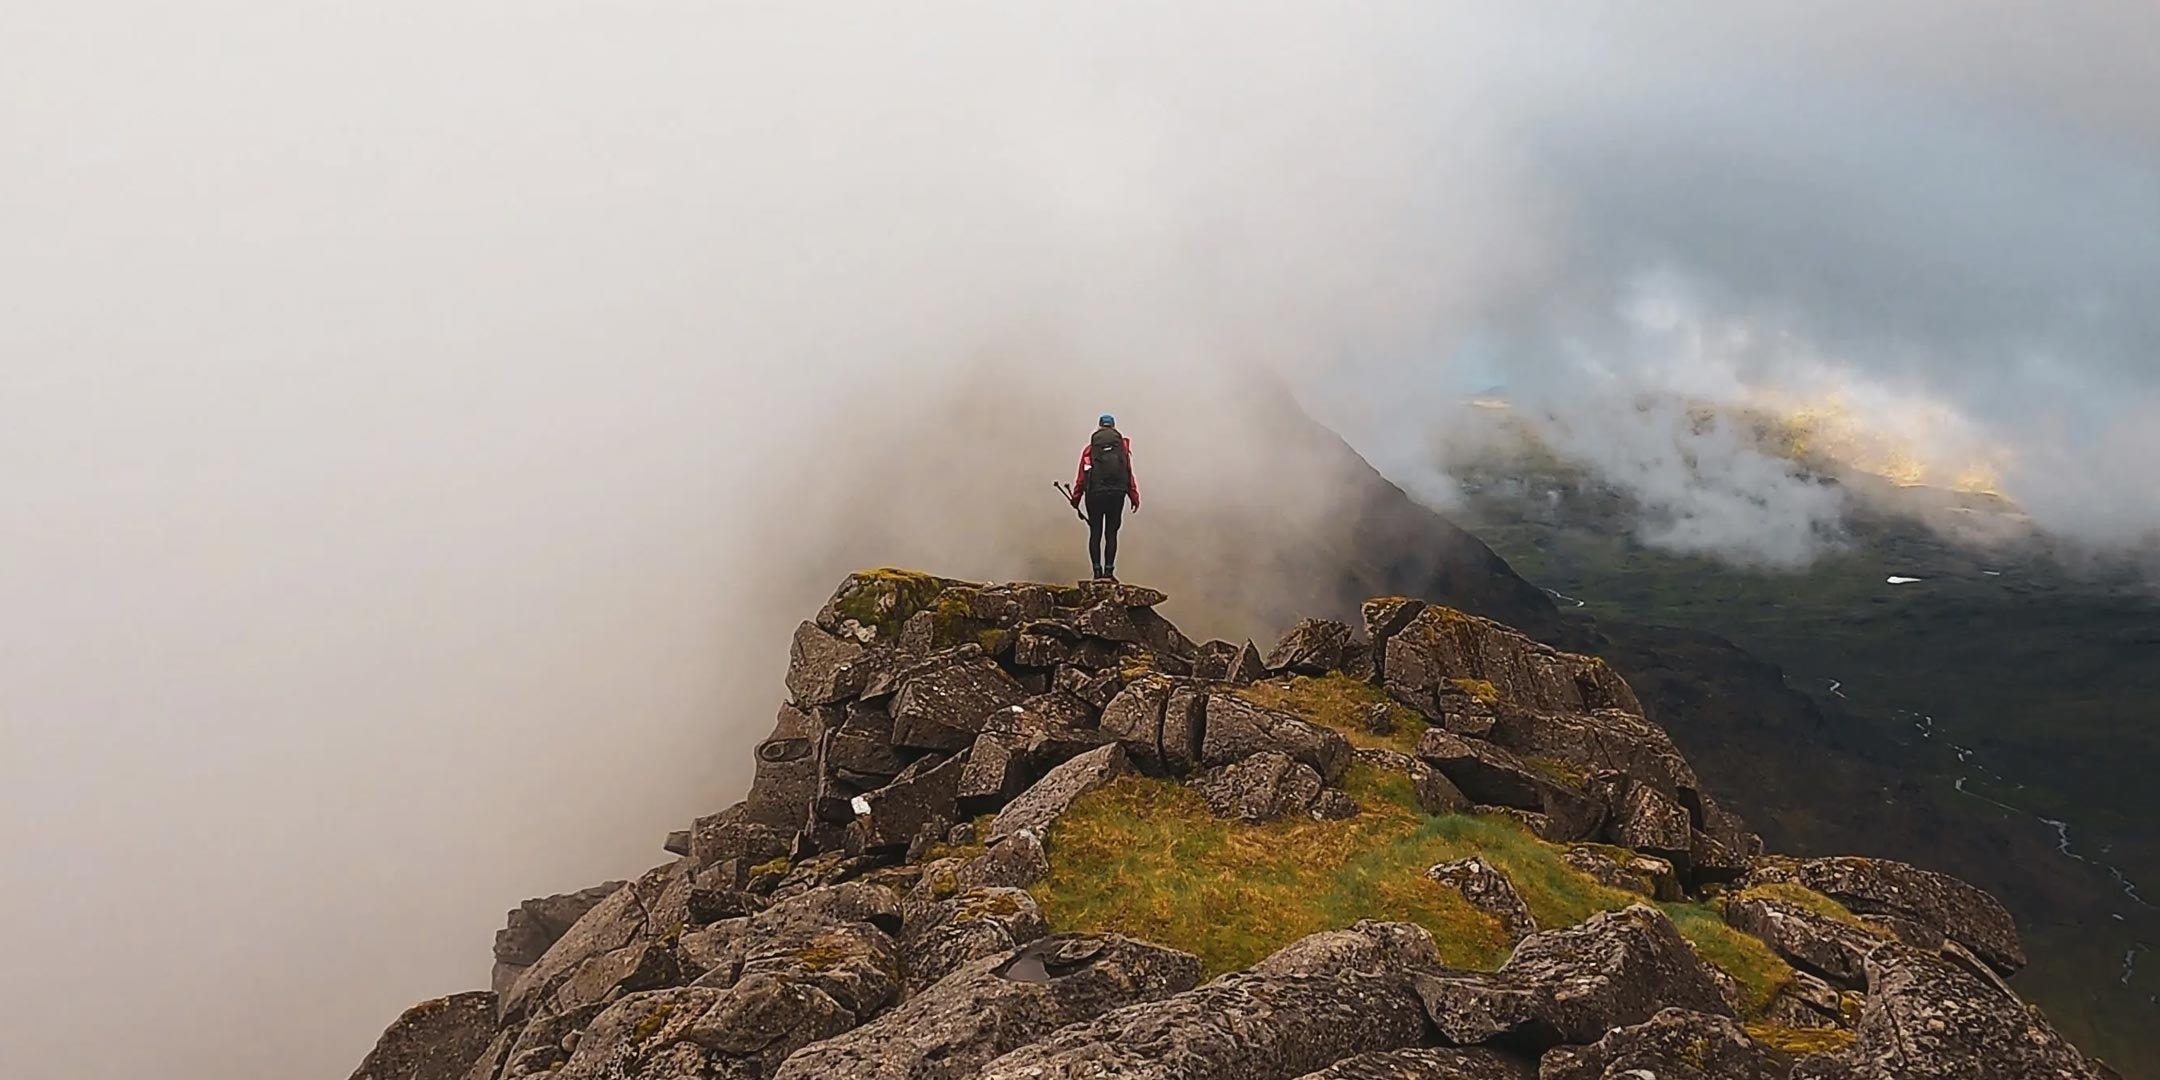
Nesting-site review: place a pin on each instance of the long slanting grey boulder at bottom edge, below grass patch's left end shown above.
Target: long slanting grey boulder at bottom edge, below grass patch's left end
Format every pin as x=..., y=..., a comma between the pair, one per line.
x=995, y=1005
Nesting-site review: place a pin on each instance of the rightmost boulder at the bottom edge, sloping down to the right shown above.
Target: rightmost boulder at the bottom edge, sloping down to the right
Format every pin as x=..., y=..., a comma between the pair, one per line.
x=1926, y=1018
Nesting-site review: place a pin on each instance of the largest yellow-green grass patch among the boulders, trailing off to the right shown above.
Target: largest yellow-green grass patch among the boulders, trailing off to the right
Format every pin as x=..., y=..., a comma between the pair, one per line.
x=1144, y=859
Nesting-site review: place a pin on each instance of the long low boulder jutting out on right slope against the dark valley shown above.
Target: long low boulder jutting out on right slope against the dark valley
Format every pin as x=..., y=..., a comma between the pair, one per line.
x=1893, y=889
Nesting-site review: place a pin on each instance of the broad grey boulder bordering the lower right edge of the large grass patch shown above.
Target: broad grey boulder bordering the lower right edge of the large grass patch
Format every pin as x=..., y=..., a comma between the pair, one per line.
x=1576, y=984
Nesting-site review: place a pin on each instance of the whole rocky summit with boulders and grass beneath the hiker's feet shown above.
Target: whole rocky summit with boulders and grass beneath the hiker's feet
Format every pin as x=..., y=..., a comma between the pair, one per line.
x=1036, y=833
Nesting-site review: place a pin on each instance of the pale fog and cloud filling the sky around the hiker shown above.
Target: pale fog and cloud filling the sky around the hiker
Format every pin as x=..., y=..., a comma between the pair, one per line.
x=422, y=422
